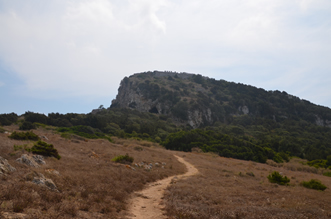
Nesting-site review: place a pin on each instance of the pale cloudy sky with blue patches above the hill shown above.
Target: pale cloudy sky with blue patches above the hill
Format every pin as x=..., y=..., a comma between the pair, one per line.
x=70, y=55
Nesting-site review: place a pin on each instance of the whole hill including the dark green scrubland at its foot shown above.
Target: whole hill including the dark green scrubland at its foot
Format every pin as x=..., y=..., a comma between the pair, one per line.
x=188, y=112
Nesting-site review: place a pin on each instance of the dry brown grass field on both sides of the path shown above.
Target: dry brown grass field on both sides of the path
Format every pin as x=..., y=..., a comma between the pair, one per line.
x=92, y=186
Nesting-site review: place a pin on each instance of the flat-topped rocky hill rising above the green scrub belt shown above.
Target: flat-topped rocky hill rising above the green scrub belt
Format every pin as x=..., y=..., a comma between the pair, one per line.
x=200, y=101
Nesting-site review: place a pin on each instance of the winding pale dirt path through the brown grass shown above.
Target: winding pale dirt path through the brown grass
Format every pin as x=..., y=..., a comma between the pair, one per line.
x=147, y=203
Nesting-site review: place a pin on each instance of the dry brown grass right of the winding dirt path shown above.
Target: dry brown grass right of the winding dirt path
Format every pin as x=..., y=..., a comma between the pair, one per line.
x=230, y=188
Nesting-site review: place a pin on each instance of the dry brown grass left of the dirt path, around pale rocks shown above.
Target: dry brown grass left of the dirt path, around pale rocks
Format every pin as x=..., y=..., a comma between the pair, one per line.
x=90, y=184
